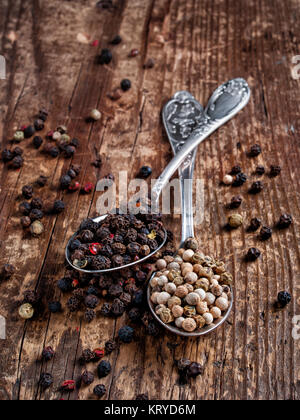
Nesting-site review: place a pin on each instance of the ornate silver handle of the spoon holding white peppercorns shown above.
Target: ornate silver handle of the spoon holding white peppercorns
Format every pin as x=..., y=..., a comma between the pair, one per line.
x=181, y=115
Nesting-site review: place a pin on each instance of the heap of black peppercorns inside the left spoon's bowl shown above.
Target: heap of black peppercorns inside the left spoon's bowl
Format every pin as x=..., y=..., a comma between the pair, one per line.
x=116, y=241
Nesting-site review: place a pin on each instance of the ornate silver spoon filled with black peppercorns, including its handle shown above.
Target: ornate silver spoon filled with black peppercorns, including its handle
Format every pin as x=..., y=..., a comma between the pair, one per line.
x=115, y=241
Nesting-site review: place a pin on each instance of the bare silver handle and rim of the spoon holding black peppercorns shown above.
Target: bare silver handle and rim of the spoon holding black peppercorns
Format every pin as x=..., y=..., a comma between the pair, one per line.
x=226, y=102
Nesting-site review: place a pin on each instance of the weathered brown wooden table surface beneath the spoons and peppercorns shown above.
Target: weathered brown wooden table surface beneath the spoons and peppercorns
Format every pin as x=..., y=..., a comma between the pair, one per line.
x=196, y=45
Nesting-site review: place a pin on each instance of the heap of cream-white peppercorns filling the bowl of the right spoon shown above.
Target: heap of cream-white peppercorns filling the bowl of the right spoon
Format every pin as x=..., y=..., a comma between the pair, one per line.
x=190, y=290
